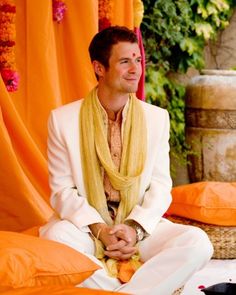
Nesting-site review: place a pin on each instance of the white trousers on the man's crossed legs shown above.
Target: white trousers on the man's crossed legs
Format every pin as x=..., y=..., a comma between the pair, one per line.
x=171, y=255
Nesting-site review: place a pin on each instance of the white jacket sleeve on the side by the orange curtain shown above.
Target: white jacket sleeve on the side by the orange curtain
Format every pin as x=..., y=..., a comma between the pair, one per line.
x=65, y=199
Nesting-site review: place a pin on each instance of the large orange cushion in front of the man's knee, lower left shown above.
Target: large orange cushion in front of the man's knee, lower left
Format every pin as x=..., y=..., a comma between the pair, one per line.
x=27, y=261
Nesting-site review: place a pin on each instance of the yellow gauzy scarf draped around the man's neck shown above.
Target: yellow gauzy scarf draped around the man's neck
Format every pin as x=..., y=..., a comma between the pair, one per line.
x=95, y=153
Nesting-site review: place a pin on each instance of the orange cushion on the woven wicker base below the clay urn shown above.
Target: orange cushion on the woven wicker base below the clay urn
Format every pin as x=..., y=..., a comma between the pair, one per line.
x=209, y=202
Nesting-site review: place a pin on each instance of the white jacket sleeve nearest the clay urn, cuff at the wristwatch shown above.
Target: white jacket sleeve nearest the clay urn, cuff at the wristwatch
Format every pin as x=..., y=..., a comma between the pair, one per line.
x=157, y=196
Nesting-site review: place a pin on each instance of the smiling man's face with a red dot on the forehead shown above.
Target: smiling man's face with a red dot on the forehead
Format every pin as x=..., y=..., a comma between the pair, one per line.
x=124, y=69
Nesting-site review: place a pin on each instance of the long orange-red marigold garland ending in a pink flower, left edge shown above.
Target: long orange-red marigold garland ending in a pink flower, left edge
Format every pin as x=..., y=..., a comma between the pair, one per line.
x=7, y=44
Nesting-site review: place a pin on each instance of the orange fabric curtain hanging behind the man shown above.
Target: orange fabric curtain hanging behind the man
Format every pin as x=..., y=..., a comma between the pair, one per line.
x=54, y=67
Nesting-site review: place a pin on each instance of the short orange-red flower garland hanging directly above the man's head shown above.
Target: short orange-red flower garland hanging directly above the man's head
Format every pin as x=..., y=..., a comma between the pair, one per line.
x=105, y=8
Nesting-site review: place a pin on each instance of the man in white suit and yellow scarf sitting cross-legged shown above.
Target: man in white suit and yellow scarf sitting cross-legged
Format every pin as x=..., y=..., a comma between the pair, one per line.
x=109, y=175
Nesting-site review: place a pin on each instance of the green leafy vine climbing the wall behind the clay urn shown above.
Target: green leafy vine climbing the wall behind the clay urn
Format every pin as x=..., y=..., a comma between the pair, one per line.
x=174, y=34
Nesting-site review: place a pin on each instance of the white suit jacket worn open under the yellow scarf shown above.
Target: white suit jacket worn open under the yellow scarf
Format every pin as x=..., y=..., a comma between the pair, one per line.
x=68, y=197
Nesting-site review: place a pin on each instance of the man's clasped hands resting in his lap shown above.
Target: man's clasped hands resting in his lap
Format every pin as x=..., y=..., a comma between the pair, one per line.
x=119, y=240
